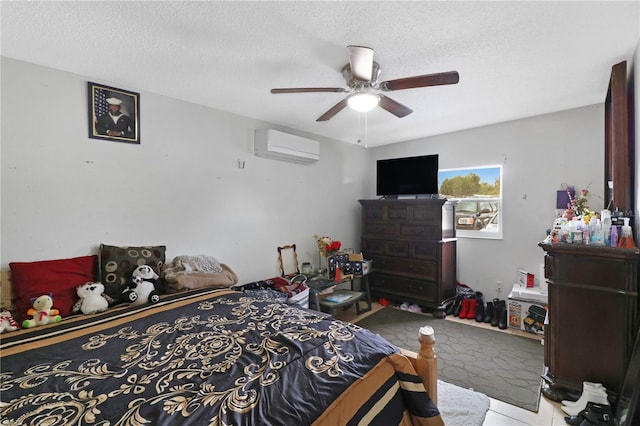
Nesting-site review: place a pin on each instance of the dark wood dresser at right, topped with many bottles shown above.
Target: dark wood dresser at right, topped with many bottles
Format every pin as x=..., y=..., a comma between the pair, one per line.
x=593, y=314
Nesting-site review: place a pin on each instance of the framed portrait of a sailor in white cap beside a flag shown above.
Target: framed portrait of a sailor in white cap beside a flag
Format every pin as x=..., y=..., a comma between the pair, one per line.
x=114, y=114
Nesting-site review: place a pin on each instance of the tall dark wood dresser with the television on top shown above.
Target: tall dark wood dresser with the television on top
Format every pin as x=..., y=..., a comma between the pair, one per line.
x=413, y=247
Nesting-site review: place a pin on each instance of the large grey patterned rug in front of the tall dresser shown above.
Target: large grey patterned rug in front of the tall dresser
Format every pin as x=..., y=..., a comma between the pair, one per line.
x=501, y=365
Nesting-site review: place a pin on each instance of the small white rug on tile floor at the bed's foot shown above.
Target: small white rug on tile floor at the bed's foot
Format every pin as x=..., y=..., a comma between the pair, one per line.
x=461, y=407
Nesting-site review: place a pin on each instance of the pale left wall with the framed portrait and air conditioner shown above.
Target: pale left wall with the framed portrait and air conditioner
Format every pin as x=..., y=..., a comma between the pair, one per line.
x=63, y=193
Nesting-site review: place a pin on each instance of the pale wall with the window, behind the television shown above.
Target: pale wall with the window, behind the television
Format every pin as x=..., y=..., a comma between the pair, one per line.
x=538, y=155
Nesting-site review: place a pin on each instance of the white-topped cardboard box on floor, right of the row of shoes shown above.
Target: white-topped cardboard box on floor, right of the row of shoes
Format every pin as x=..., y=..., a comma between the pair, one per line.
x=527, y=309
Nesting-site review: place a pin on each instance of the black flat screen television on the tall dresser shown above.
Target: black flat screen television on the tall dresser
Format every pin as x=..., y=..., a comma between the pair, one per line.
x=407, y=176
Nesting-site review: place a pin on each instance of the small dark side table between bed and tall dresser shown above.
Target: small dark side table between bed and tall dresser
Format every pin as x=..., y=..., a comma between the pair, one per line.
x=347, y=297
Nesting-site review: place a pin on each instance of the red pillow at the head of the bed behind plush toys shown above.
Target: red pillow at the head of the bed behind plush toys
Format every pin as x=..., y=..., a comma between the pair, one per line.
x=59, y=277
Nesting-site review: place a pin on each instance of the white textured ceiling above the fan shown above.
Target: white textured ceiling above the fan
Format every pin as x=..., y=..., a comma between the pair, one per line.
x=515, y=59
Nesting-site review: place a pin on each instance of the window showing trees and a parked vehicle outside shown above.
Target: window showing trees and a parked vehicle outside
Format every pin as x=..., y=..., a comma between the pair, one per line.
x=478, y=191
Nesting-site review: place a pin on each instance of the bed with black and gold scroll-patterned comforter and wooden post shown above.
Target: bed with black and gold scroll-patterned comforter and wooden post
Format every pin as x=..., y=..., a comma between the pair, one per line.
x=212, y=357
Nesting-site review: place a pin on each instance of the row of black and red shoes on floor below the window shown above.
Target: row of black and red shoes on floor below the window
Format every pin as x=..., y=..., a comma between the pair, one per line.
x=474, y=307
